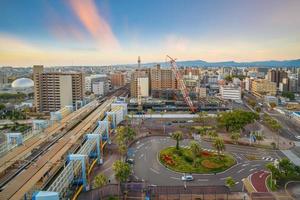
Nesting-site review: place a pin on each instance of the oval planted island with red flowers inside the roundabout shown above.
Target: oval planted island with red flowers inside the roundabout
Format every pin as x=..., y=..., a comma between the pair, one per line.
x=183, y=160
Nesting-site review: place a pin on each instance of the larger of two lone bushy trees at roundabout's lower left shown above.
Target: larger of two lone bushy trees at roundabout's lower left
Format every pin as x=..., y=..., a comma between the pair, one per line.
x=122, y=170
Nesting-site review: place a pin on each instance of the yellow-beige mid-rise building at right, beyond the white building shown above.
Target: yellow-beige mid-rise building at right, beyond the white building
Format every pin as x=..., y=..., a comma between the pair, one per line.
x=262, y=87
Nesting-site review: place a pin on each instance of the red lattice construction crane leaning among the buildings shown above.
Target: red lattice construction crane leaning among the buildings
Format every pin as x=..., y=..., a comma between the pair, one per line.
x=181, y=84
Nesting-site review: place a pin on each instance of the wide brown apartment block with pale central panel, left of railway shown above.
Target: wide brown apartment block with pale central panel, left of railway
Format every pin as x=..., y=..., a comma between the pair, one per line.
x=54, y=90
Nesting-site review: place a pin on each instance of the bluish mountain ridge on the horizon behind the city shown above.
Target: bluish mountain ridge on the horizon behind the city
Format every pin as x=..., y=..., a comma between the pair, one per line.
x=201, y=63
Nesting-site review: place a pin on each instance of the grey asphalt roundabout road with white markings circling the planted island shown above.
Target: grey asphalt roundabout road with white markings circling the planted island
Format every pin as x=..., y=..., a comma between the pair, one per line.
x=148, y=168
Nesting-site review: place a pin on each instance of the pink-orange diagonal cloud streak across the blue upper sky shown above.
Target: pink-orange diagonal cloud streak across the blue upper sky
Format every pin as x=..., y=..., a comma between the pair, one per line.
x=97, y=26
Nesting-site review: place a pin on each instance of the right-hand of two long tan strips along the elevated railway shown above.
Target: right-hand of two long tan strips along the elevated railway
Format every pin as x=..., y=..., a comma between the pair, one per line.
x=27, y=176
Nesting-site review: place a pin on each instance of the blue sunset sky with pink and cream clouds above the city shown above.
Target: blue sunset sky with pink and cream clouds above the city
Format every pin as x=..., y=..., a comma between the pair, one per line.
x=105, y=32
